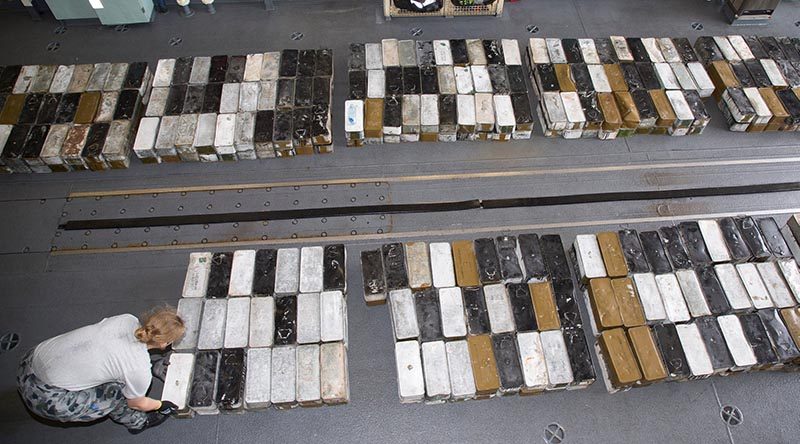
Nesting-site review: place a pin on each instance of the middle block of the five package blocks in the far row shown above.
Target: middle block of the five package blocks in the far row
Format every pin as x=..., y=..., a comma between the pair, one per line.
x=441, y=90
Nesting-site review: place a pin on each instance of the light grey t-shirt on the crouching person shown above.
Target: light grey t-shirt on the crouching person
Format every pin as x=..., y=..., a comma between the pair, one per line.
x=96, y=354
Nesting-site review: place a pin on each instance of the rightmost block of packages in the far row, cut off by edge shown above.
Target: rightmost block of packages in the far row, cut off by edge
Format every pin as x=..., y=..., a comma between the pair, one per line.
x=756, y=79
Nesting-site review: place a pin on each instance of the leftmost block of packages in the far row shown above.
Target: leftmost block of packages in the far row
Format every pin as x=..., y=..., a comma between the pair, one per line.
x=69, y=117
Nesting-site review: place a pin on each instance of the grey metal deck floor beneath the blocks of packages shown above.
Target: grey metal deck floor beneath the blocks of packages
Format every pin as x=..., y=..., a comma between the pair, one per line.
x=47, y=293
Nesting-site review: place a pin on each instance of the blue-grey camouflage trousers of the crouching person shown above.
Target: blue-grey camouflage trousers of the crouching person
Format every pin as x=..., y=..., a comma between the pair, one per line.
x=61, y=405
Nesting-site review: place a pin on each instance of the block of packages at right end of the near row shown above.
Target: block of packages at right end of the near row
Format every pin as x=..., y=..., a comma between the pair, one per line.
x=692, y=300
